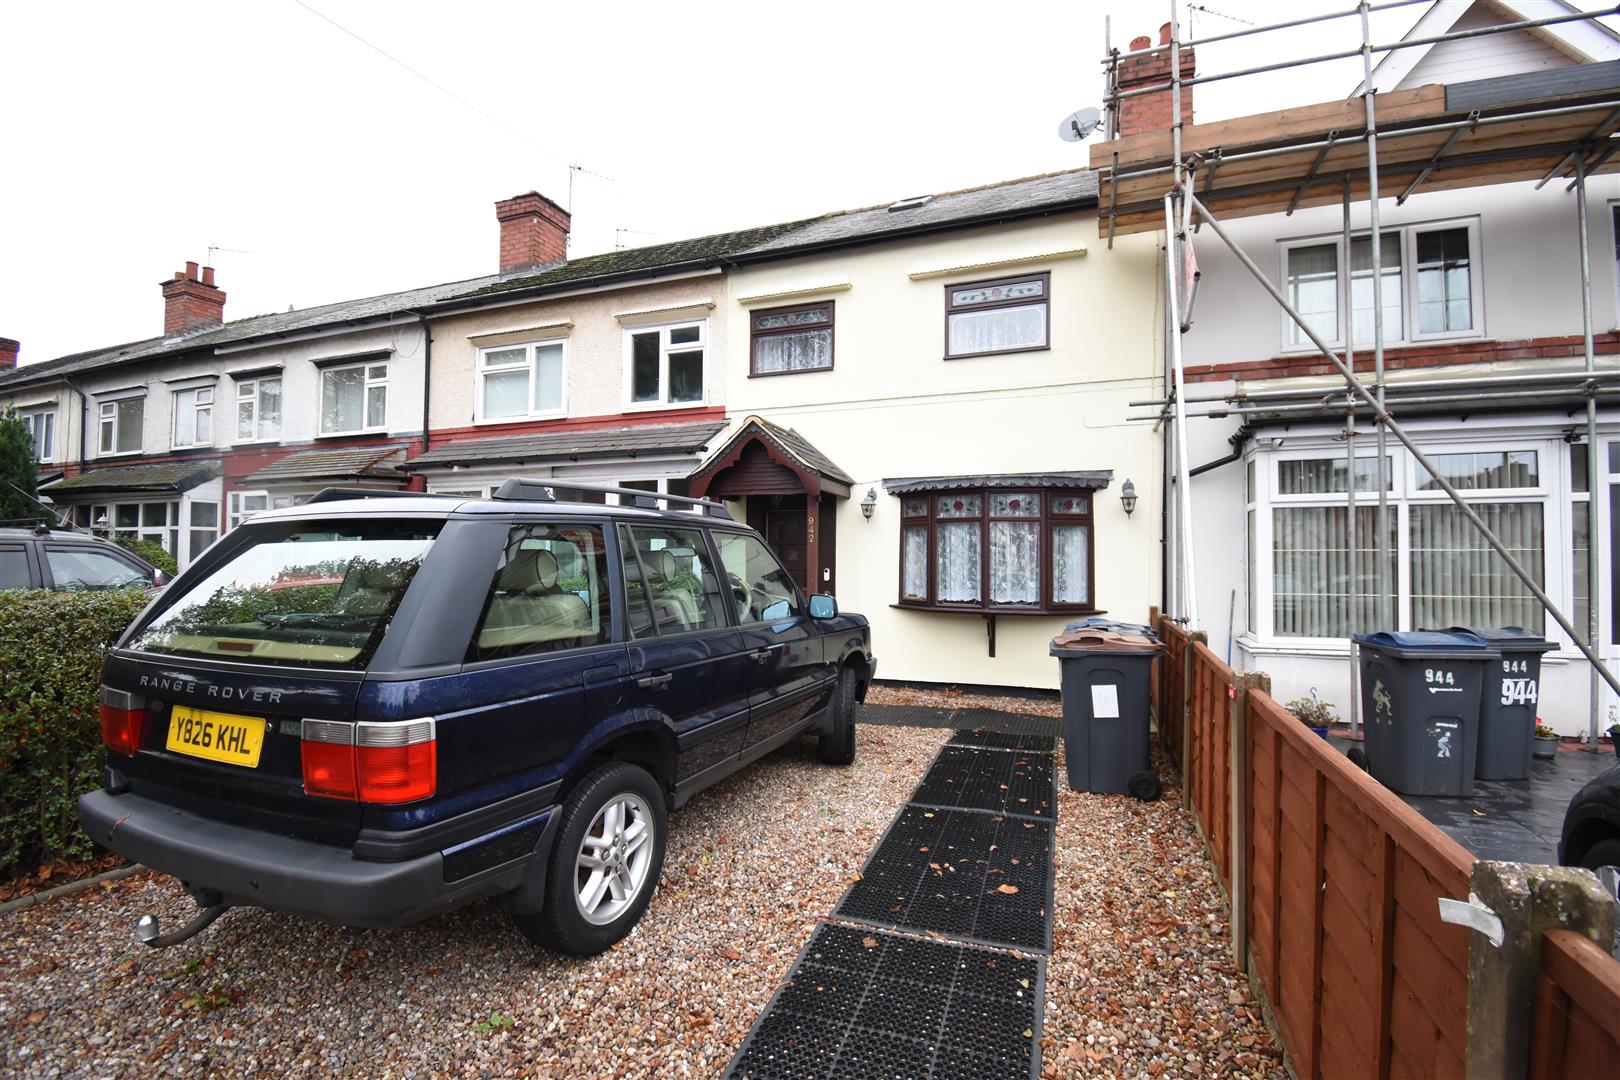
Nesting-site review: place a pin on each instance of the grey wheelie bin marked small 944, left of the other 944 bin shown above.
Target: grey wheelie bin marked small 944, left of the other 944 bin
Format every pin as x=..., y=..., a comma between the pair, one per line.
x=1420, y=707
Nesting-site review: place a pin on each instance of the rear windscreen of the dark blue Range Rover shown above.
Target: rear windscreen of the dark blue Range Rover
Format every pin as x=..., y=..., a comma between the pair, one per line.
x=312, y=593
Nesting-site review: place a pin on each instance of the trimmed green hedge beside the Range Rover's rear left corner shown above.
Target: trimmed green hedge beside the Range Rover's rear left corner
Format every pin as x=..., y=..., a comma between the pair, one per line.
x=53, y=647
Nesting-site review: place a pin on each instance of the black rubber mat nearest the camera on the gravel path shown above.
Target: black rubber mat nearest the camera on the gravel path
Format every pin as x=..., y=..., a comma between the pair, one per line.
x=866, y=1003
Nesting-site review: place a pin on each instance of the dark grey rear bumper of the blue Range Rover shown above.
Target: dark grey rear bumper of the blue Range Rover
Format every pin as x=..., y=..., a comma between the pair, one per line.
x=297, y=877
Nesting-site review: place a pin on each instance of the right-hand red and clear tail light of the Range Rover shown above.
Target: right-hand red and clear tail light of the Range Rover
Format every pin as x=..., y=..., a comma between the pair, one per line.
x=372, y=763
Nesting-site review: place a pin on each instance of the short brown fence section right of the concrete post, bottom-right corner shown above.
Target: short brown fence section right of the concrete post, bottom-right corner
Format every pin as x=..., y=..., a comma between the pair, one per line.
x=1574, y=1032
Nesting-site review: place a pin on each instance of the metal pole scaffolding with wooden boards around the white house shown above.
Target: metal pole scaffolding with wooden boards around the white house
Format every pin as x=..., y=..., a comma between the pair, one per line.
x=1545, y=125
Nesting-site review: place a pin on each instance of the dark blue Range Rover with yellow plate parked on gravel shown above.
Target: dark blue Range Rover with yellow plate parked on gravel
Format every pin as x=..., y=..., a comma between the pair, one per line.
x=370, y=710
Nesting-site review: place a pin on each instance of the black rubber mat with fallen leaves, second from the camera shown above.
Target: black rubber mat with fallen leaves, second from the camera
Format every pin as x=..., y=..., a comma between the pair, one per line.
x=963, y=874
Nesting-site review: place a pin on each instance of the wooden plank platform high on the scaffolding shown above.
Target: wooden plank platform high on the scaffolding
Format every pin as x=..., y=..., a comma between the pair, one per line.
x=1459, y=135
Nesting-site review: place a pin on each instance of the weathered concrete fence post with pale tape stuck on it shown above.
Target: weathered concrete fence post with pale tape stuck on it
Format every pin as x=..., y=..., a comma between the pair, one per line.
x=1503, y=974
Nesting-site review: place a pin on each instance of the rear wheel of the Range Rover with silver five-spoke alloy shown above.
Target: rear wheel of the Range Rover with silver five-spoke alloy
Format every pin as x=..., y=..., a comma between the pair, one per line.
x=605, y=862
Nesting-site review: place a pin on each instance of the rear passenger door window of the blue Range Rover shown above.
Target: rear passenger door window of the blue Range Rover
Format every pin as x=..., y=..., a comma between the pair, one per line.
x=683, y=592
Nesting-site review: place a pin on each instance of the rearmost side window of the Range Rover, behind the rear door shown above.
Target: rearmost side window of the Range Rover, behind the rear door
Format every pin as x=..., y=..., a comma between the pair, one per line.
x=550, y=593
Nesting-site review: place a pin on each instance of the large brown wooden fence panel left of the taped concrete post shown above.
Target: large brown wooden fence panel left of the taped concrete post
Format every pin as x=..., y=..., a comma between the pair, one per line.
x=1344, y=921
